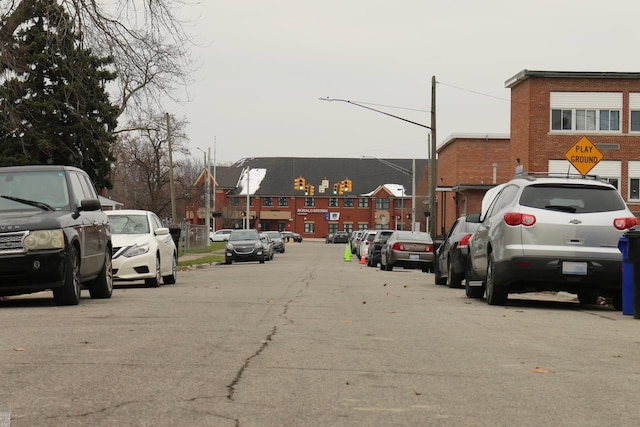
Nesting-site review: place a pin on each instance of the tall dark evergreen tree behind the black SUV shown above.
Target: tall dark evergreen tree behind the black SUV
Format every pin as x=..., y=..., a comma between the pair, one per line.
x=53, y=101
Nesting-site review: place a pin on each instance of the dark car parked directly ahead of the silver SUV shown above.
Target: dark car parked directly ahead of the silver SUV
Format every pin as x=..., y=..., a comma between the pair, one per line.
x=452, y=255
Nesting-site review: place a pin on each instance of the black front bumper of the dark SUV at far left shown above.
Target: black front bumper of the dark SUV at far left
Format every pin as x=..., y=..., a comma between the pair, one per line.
x=32, y=272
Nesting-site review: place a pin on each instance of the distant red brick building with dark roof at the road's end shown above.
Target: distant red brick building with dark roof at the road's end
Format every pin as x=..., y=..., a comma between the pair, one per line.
x=380, y=198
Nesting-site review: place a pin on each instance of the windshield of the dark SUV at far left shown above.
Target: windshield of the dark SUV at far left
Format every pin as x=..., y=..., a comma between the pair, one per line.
x=41, y=190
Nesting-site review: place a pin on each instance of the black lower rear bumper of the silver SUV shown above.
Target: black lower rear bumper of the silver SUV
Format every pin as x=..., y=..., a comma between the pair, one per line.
x=525, y=274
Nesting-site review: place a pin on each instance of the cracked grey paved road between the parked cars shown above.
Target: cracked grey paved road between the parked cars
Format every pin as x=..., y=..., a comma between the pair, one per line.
x=311, y=340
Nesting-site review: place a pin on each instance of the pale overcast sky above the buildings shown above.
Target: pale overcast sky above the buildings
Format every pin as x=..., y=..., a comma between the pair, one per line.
x=265, y=64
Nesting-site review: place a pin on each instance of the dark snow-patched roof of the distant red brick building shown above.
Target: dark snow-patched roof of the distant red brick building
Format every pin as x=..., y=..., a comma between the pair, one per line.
x=274, y=176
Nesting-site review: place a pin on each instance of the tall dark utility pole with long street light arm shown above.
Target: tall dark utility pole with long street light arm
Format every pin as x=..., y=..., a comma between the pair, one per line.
x=431, y=148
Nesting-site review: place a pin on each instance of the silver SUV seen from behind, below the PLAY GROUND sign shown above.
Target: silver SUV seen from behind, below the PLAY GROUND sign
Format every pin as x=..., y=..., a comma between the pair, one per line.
x=545, y=233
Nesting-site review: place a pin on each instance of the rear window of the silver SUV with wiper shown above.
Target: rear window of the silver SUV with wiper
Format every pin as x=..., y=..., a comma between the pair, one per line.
x=572, y=198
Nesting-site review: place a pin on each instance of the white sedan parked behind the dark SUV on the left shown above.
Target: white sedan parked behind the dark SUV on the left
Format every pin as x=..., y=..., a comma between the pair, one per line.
x=143, y=248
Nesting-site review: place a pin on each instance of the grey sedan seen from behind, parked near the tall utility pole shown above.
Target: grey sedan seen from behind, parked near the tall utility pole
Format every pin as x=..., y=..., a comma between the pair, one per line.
x=407, y=249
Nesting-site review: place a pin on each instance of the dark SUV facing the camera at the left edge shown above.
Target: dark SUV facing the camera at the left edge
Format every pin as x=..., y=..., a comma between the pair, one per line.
x=53, y=234
